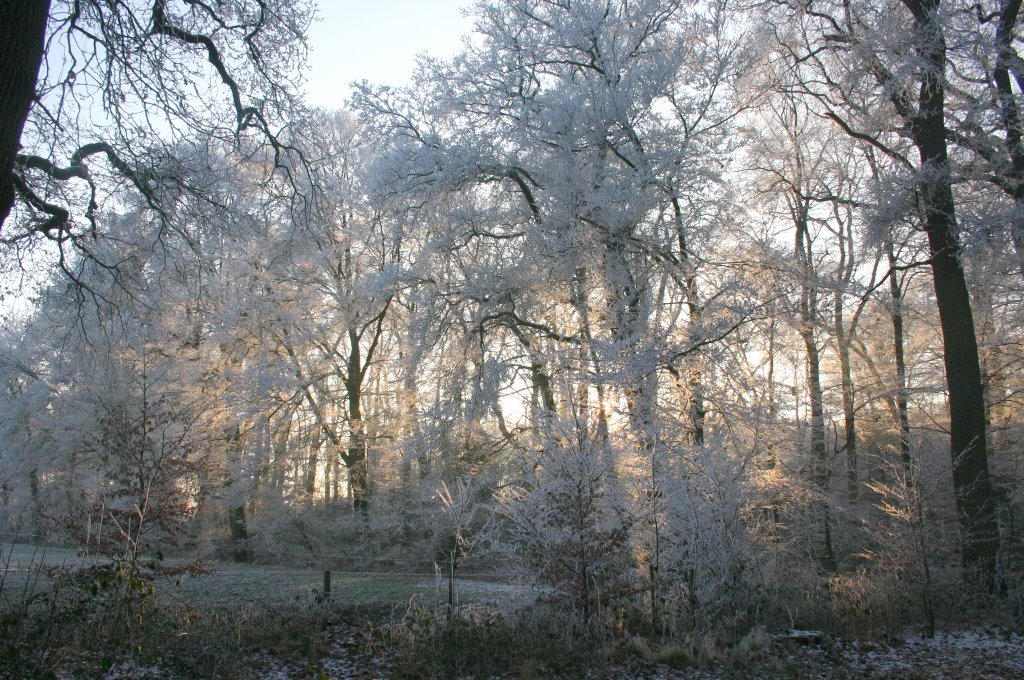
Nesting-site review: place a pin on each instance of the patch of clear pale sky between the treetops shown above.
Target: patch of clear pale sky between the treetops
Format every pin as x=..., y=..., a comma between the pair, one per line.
x=378, y=40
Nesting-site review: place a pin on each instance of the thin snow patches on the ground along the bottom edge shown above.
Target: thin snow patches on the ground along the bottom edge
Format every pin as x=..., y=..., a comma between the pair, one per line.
x=960, y=656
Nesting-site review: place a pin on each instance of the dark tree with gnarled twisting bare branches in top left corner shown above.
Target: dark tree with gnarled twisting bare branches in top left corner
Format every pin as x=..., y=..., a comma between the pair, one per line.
x=100, y=96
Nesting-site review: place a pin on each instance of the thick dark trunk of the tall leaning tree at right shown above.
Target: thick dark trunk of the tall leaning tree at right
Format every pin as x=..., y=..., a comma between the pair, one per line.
x=972, y=484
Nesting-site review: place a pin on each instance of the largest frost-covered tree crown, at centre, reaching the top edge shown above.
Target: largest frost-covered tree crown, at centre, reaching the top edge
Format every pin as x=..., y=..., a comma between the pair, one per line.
x=577, y=153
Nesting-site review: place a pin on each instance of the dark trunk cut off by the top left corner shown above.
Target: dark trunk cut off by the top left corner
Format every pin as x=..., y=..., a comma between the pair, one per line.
x=23, y=25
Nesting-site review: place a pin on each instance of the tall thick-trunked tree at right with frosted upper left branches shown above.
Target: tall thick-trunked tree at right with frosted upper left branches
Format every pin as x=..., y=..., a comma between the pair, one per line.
x=868, y=89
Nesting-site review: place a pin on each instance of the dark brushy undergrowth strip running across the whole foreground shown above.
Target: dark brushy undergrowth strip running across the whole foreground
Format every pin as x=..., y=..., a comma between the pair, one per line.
x=89, y=622
